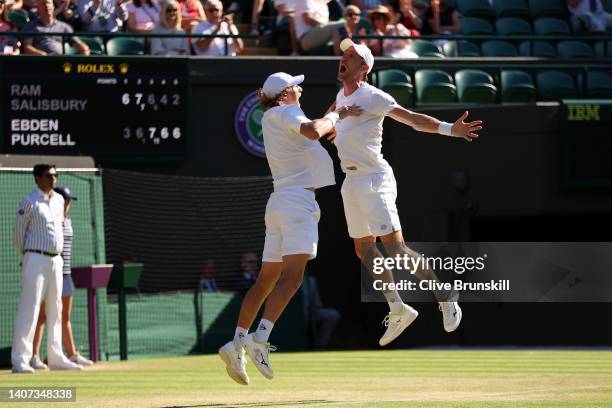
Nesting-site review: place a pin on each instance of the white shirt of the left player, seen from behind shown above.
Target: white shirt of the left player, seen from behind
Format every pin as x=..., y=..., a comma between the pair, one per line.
x=294, y=160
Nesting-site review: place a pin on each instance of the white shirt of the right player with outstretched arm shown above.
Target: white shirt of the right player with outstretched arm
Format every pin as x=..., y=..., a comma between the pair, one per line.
x=359, y=138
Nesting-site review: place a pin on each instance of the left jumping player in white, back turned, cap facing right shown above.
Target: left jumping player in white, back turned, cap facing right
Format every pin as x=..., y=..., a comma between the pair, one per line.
x=299, y=165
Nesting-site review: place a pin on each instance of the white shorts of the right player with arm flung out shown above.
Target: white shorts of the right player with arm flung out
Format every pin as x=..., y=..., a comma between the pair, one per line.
x=369, y=204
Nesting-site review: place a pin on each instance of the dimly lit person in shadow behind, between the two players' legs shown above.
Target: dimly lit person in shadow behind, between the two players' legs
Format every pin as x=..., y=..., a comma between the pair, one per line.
x=323, y=320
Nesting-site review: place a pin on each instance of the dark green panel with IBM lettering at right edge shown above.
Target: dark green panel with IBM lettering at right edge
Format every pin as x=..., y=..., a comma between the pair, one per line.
x=586, y=143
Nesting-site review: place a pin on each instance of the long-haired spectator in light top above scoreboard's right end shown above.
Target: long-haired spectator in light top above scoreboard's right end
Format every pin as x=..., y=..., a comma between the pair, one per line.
x=170, y=23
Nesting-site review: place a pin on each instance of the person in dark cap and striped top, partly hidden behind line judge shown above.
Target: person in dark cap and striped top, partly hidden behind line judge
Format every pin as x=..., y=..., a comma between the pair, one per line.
x=67, y=293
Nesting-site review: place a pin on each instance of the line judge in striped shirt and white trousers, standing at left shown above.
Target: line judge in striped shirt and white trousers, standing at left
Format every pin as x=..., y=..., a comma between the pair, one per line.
x=38, y=237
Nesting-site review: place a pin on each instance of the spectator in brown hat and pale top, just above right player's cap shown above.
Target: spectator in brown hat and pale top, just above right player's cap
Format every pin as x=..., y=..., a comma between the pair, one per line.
x=381, y=19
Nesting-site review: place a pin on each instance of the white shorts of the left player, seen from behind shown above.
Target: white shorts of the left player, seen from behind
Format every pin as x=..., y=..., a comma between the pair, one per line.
x=292, y=218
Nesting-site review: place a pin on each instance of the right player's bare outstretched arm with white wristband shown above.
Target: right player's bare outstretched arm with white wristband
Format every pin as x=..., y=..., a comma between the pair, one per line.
x=429, y=124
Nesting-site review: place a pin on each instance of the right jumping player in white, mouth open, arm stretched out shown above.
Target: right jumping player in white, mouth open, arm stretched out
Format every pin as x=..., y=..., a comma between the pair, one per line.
x=369, y=190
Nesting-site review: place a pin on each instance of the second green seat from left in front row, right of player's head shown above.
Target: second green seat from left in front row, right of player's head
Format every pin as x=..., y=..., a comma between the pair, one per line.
x=434, y=87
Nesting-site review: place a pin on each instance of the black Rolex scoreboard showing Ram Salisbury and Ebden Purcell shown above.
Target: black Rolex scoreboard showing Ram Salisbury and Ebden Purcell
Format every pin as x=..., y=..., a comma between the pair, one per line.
x=108, y=108
